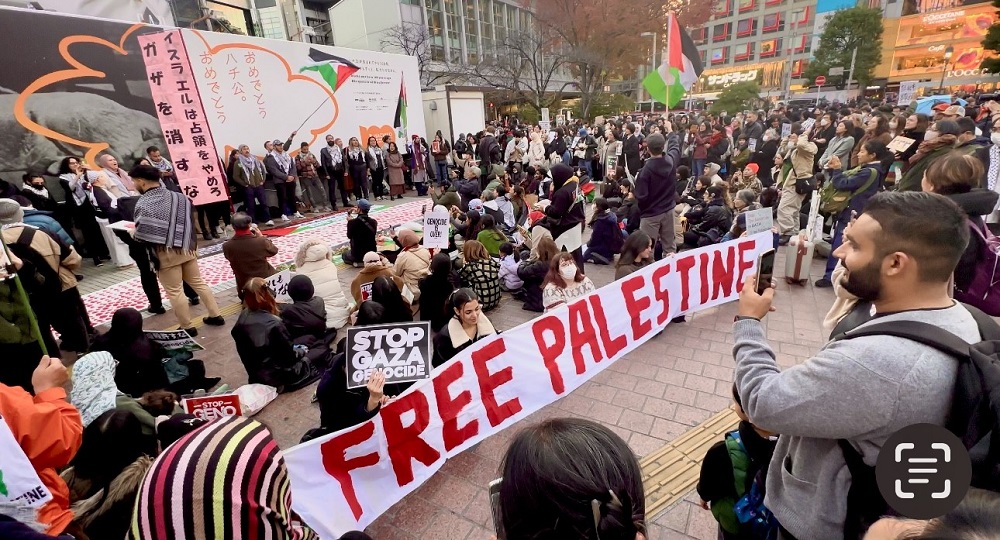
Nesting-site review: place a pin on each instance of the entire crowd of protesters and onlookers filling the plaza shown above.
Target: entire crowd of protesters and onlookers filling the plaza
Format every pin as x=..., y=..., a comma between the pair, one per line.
x=528, y=210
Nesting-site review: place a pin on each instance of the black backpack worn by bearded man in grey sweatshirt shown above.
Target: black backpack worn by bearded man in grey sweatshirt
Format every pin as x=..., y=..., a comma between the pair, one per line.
x=974, y=417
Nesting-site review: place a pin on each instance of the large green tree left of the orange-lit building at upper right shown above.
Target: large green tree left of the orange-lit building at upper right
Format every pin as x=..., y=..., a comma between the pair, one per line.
x=848, y=29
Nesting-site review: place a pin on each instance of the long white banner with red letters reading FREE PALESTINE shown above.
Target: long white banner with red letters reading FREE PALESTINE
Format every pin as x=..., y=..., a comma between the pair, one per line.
x=346, y=480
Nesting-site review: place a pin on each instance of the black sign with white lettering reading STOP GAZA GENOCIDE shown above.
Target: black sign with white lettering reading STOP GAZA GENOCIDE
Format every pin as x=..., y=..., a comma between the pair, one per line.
x=401, y=351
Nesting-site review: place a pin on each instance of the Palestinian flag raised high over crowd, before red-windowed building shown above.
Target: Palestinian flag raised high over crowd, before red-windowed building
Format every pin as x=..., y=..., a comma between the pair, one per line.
x=680, y=69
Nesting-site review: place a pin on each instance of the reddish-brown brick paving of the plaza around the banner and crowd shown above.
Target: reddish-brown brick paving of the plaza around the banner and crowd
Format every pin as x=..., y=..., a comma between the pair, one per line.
x=649, y=397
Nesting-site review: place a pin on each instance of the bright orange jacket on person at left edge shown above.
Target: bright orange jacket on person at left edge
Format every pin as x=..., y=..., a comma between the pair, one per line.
x=50, y=431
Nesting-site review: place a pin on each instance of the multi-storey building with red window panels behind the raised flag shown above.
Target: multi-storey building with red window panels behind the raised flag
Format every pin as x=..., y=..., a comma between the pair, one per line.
x=766, y=41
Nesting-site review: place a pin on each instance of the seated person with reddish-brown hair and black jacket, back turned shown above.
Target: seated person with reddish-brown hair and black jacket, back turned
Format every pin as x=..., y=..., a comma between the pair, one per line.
x=265, y=346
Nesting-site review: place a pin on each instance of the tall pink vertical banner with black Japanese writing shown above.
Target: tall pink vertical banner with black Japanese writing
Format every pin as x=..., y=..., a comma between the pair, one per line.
x=182, y=117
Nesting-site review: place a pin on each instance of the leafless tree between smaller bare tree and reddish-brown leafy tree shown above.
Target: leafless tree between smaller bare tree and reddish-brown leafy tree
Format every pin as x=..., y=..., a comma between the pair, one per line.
x=525, y=65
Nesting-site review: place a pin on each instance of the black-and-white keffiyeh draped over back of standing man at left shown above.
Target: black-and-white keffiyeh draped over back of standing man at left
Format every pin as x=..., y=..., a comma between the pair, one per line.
x=163, y=219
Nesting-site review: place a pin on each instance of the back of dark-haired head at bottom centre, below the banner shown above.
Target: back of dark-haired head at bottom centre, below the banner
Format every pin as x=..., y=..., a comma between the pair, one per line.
x=602, y=499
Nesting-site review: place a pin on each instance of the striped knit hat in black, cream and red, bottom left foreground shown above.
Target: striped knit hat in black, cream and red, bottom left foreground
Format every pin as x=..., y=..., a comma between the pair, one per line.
x=224, y=480
